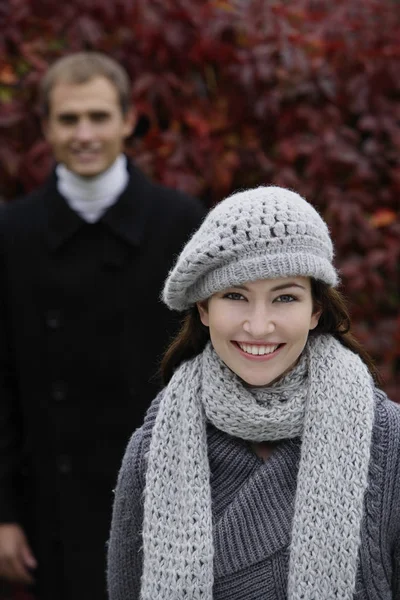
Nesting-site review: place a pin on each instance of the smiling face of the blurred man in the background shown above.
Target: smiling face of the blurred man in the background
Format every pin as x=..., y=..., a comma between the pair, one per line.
x=85, y=125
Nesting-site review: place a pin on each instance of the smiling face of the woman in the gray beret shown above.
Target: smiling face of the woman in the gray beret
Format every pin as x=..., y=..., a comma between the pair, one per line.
x=259, y=329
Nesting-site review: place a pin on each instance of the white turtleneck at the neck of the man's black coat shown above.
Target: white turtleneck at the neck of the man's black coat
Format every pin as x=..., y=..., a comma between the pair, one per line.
x=90, y=197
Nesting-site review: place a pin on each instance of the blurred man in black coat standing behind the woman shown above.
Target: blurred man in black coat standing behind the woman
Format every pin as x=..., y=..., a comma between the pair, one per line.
x=82, y=263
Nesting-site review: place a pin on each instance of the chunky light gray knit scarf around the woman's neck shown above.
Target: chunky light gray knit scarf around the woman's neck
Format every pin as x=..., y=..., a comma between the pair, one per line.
x=331, y=408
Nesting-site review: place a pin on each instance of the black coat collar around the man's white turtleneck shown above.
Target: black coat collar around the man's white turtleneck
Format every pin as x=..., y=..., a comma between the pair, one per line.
x=126, y=218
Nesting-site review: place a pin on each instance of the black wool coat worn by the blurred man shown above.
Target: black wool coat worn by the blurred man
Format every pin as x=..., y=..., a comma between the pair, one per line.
x=82, y=329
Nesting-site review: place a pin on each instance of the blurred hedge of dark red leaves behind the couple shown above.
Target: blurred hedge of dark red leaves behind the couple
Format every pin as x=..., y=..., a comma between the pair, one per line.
x=235, y=93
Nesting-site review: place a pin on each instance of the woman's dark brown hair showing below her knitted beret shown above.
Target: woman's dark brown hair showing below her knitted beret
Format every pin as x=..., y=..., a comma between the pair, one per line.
x=334, y=319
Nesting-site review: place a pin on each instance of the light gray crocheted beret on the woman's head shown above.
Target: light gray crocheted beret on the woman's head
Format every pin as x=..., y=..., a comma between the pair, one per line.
x=260, y=233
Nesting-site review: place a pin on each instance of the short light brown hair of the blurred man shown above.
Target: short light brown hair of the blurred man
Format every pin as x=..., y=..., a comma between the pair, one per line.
x=81, y=67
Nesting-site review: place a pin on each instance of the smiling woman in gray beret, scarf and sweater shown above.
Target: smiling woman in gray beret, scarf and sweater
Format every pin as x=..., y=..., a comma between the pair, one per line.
x=269, y=466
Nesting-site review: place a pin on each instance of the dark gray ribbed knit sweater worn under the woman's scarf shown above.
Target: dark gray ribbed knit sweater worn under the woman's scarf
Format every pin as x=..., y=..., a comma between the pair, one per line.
x=253, y=504
